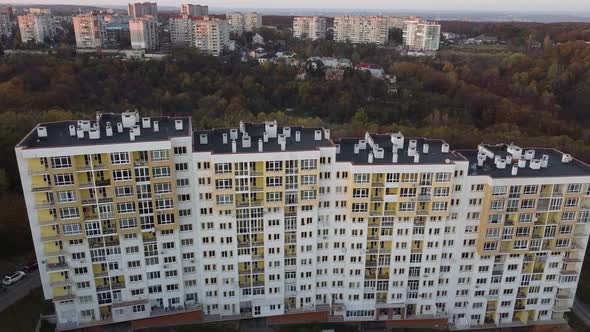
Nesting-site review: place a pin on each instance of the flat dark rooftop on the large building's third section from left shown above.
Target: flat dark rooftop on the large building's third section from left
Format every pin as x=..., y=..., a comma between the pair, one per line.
x=433, y=154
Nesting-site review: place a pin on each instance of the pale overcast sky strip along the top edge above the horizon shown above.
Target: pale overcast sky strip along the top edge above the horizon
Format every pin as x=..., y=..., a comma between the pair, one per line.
x=497, y=5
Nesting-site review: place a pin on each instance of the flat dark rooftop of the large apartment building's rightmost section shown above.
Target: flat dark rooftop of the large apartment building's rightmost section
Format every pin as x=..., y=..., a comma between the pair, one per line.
x=555, y=166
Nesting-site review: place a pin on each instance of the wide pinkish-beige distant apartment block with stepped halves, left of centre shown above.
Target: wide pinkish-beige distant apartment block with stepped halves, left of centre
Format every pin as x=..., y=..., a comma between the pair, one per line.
x=209, y=35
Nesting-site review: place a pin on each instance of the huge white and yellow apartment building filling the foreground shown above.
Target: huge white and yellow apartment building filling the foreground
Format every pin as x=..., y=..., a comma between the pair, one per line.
x=145, y=220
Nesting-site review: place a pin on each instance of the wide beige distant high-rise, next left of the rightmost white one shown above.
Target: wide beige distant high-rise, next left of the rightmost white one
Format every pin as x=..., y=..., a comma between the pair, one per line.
x=361, y=29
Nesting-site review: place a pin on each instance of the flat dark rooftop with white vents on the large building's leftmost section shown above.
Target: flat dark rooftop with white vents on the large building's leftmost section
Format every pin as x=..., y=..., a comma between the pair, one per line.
x=58, y=134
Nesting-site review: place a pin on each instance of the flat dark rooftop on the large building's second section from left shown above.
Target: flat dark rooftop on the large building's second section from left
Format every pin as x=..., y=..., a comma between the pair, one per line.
x=219, y=141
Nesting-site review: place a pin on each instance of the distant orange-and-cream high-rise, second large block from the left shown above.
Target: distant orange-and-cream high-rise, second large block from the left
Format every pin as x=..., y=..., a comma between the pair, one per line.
x=90, y=30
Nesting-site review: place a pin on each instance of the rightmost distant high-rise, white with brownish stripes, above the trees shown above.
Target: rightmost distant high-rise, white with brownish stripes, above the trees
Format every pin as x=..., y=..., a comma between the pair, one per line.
x=421, y=35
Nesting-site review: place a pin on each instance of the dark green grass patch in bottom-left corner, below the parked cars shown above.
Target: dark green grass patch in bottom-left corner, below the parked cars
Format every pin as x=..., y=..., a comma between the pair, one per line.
x=24, y=314
